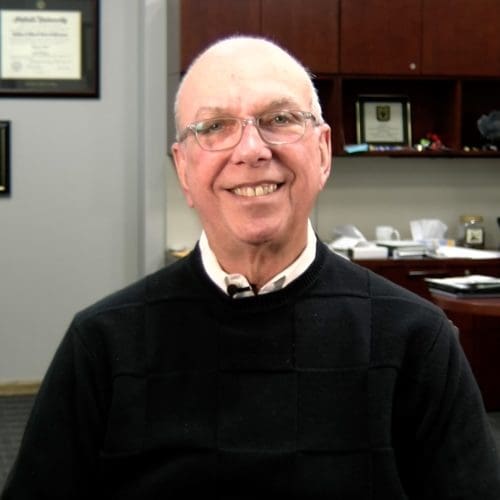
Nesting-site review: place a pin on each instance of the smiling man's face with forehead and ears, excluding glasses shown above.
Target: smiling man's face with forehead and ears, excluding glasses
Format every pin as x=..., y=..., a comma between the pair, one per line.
x=255, y=193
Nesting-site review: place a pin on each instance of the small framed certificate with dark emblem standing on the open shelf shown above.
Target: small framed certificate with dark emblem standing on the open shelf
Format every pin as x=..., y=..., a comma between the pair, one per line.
x=383, y=120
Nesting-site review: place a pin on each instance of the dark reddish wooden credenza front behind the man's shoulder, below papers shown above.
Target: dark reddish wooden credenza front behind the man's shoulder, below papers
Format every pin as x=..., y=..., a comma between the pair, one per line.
x=411, y=273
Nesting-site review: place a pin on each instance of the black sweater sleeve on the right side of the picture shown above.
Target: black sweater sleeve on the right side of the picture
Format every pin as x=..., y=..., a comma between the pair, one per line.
x=442, y=418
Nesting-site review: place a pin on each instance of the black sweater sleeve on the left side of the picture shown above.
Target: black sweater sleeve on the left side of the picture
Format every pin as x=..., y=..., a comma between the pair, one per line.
x=58, y=456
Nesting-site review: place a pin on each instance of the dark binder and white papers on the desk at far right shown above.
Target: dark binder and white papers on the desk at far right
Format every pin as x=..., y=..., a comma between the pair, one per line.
x=474, y=286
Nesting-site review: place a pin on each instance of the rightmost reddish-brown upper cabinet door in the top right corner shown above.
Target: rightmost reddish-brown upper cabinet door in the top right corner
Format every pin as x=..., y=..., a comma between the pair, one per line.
x=461, y=37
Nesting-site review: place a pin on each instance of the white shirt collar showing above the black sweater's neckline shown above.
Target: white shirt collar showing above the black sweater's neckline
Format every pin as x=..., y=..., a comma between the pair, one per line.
x=282, y=279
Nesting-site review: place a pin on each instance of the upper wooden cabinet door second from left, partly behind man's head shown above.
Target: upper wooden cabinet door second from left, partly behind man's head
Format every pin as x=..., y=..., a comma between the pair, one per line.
x=307, y=28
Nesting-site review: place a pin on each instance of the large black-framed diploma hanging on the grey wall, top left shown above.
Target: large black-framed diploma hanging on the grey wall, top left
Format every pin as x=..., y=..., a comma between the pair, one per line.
x=49, y=48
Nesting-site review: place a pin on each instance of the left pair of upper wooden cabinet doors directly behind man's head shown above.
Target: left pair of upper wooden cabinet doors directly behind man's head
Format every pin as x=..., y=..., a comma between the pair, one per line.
x=307, y=28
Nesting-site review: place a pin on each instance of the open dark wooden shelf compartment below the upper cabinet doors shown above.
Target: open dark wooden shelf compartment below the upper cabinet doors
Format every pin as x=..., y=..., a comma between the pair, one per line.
x=448, y=107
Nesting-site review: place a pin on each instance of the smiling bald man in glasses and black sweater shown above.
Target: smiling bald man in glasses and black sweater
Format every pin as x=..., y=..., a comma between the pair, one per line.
x=261, y=364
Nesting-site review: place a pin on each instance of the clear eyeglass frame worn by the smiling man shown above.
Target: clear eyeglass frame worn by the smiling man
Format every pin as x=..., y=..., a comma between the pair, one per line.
x=192, y=127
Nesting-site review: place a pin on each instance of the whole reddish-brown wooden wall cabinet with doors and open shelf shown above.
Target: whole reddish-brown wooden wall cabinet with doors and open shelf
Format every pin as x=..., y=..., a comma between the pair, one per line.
x=442, y=54
